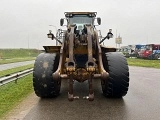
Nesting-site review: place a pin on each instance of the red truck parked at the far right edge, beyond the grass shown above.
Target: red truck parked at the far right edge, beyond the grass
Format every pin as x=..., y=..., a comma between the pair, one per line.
x=148, y=50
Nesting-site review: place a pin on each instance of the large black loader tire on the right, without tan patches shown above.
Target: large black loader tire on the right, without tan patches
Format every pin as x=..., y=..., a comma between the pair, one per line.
x=118, y=82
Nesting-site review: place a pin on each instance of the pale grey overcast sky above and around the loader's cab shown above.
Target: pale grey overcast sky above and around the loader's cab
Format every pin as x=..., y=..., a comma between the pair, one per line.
x=25, y=23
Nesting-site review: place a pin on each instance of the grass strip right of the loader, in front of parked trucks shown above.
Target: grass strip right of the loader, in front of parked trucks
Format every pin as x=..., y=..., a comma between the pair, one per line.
x=143, y=63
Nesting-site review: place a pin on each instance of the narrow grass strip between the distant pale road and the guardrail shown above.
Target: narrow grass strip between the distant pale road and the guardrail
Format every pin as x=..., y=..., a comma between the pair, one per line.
x=13, y=70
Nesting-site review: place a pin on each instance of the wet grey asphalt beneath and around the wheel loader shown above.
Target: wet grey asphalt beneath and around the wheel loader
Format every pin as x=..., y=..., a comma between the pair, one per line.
x=141, y=103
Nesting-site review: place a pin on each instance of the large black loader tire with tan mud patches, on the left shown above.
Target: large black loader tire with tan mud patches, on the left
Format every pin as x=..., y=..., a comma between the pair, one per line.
x=44, y=84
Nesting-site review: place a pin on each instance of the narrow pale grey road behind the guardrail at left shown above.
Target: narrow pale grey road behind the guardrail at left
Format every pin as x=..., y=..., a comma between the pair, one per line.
x=13, y=65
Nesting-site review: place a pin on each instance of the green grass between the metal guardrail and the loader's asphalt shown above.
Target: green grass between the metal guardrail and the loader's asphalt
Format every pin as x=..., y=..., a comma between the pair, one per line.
x=11, y=94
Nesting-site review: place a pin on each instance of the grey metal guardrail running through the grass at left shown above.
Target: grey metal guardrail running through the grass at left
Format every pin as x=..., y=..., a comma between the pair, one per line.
x=15, y=76
